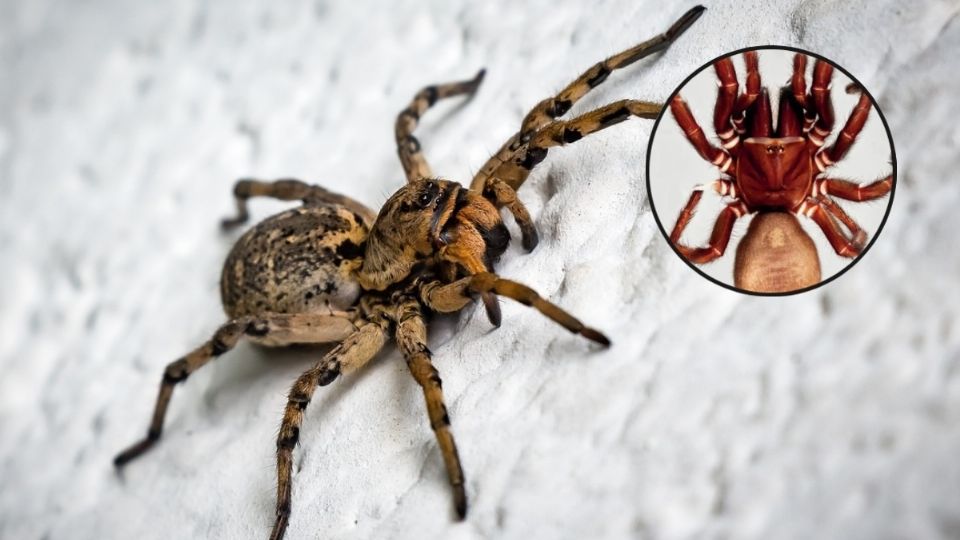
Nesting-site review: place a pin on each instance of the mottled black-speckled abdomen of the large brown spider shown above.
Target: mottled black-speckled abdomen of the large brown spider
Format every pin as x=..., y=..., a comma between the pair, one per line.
x=297, y=261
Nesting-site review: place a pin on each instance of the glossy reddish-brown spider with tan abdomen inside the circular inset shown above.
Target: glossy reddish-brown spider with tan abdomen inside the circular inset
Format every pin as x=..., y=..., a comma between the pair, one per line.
x=776, y=172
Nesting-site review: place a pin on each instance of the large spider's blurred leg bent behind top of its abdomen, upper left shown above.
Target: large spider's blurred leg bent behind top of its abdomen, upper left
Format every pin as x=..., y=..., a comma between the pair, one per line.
x=289, y=189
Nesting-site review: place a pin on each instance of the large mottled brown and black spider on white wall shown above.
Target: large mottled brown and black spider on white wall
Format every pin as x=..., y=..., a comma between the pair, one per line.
x=333, y=271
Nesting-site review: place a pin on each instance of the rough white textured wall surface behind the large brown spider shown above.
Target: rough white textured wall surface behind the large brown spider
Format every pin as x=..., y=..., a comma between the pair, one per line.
x=714, y=415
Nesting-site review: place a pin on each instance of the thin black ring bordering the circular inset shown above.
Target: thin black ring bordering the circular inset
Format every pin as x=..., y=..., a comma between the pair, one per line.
x=893, y=162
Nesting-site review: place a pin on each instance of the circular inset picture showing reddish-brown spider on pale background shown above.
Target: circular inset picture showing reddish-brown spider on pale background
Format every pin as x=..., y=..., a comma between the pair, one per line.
x=771, y=171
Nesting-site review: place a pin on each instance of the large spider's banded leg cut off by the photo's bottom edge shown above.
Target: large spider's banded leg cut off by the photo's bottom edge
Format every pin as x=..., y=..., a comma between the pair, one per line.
x=350, y=355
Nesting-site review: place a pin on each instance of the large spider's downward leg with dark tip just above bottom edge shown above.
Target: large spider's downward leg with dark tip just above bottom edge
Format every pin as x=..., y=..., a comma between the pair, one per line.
x=411, y=336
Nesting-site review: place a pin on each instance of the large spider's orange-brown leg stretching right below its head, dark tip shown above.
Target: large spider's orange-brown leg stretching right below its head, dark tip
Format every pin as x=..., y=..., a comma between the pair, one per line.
x=450, y=297
